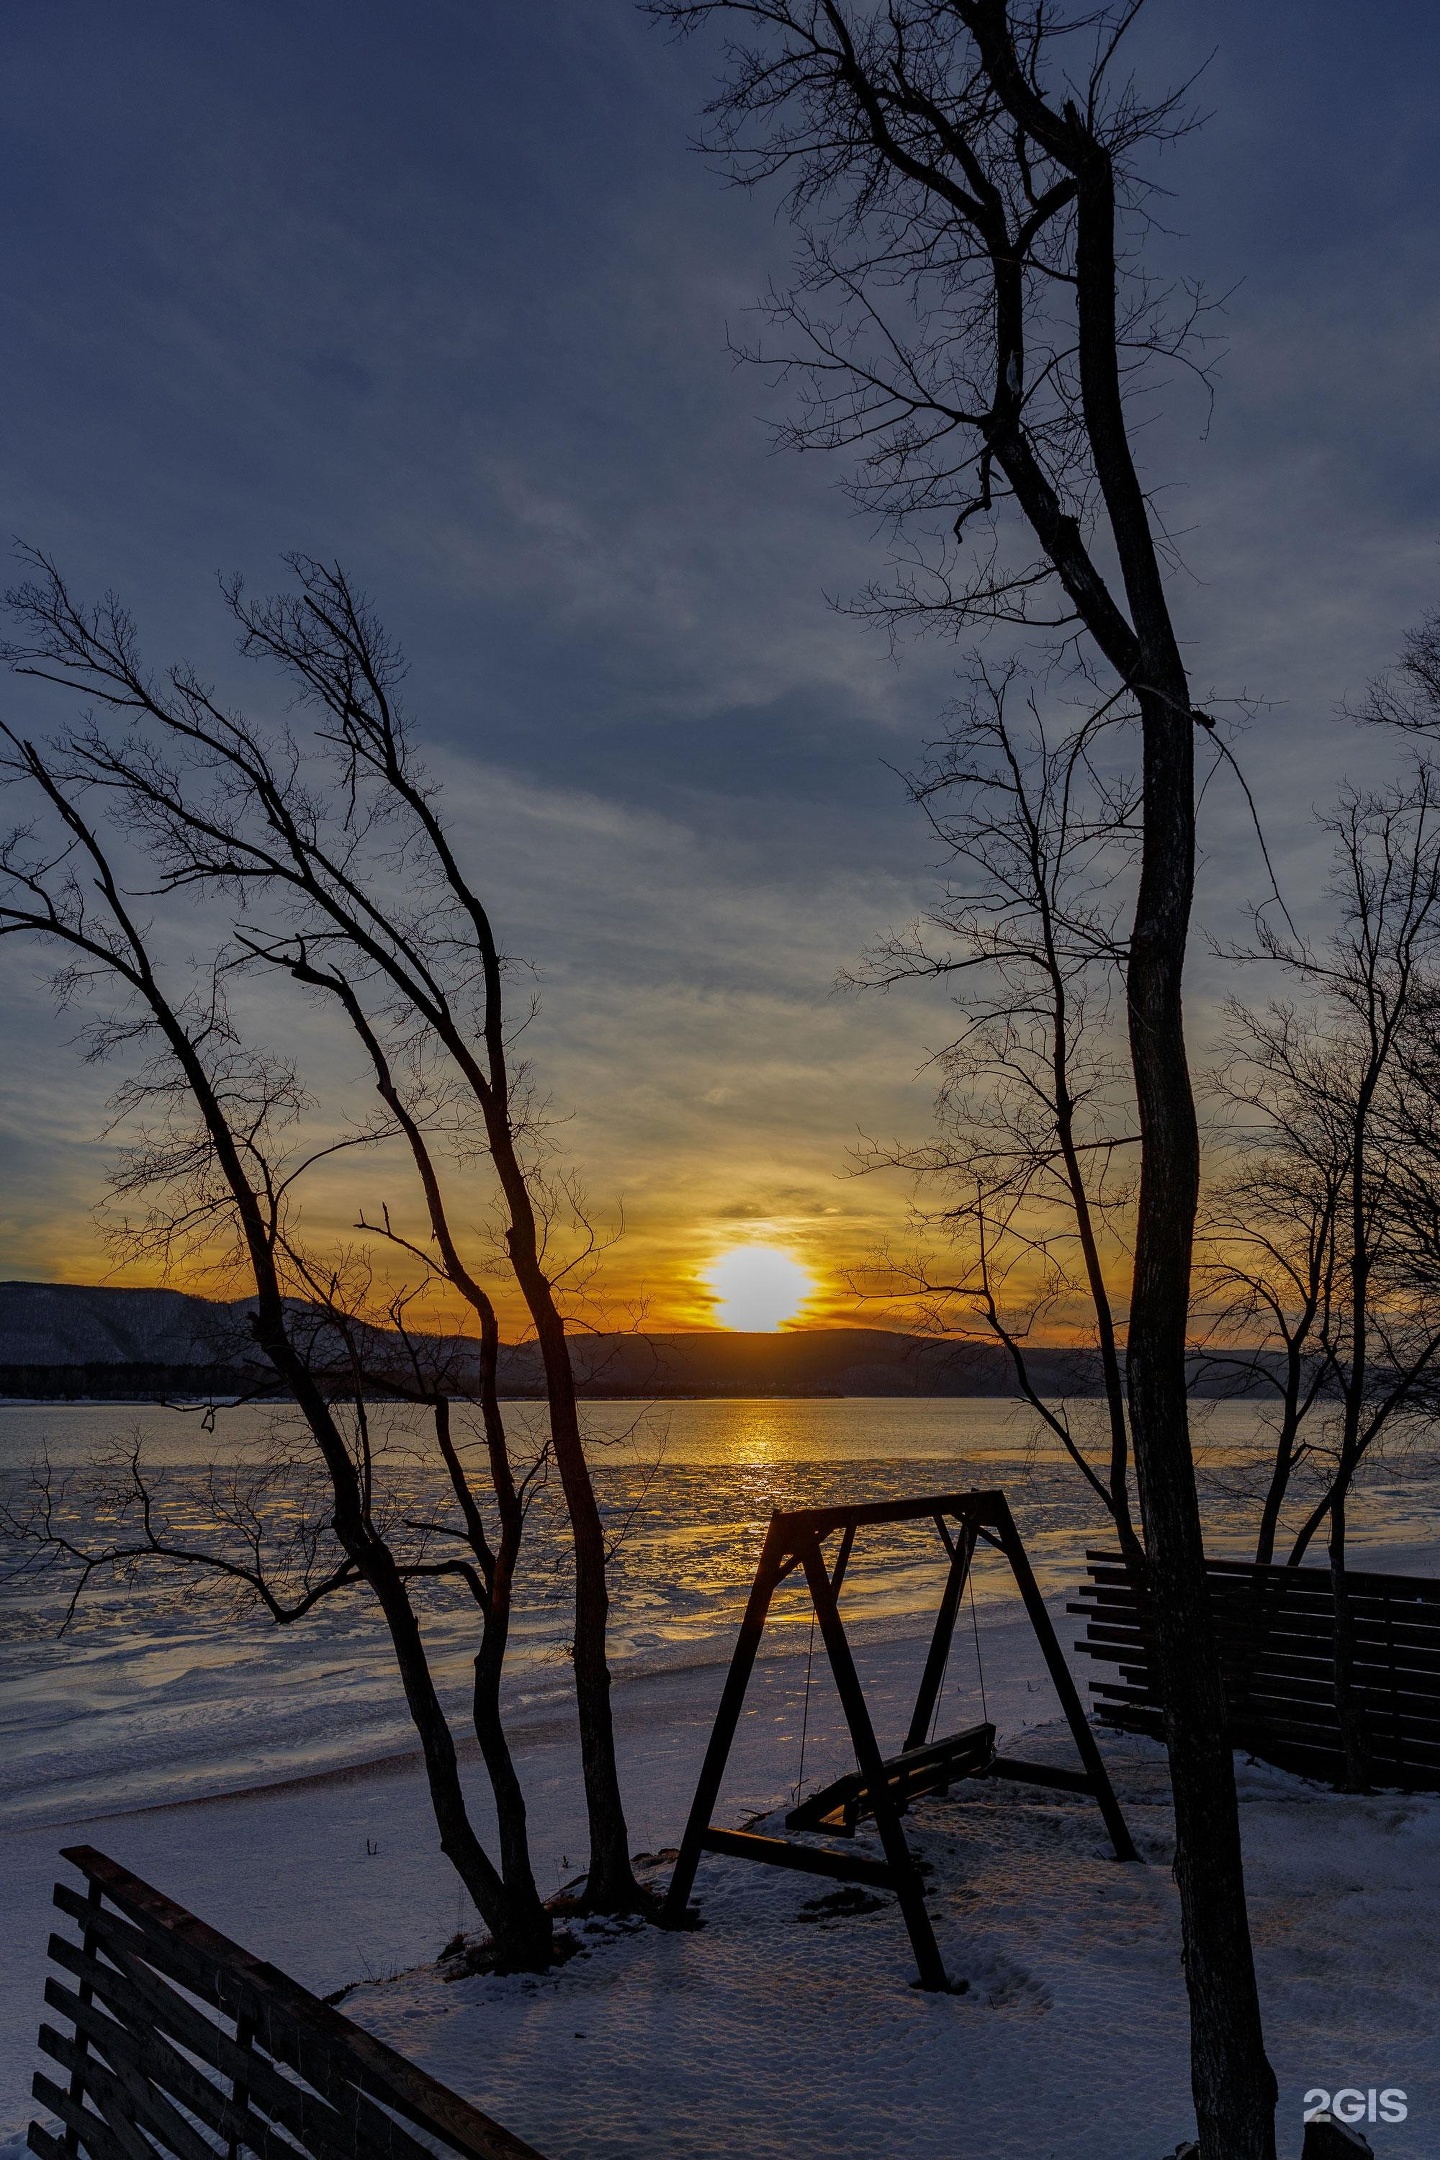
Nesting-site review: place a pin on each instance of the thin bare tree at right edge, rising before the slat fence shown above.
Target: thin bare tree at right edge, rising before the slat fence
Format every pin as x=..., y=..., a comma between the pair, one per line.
x=1344, y=1258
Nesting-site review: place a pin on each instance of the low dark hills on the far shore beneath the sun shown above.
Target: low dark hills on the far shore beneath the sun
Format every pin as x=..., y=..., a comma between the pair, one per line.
x=72, y=1340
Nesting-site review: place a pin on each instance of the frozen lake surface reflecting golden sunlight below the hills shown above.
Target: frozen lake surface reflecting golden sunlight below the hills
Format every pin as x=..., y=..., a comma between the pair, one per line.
x=167, y=1688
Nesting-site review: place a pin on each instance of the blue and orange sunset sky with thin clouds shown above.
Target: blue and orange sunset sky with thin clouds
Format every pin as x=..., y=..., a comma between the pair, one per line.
x=444, y=293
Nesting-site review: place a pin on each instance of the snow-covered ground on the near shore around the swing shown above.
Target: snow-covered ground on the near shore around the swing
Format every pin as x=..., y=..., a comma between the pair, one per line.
x=789, y=2029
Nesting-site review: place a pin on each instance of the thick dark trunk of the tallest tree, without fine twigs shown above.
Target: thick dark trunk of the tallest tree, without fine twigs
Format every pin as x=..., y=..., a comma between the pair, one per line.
x=1234, y=2083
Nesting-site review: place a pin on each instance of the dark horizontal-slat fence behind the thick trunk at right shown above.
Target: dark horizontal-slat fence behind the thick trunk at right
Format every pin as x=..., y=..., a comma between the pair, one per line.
x=1277, y=1645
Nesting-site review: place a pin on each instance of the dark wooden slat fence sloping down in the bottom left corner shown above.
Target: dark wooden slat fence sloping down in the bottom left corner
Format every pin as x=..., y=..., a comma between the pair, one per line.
x=182, y=2044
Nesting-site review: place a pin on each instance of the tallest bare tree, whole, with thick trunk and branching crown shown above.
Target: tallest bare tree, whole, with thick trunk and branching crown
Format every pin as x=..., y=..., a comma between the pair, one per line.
x=973, y=323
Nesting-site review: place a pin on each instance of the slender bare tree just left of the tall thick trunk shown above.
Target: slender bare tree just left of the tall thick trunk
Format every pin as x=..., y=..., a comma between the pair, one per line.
x=1035, y=1105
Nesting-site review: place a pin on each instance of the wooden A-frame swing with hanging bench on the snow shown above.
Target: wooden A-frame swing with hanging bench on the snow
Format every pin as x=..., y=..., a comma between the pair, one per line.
x=884, y=1787
